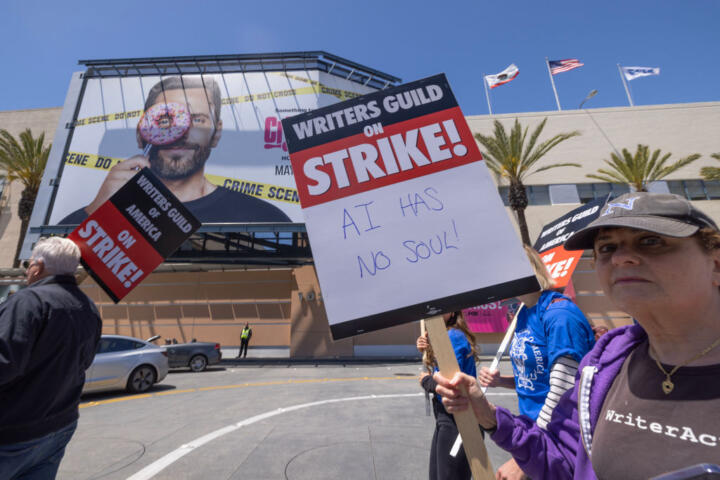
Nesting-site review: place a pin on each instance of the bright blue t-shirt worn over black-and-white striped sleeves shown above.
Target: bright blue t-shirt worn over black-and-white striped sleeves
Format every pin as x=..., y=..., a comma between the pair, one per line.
x=543, y=334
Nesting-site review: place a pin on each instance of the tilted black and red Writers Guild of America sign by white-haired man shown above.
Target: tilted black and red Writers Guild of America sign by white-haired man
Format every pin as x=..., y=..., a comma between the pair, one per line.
x=132, y=233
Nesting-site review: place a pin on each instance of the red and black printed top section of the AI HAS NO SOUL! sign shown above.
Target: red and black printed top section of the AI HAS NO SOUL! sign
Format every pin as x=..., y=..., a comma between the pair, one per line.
x=379, y=139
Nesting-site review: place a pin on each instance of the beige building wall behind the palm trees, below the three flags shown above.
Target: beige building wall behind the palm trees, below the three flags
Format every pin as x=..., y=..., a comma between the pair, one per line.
x=682, y=129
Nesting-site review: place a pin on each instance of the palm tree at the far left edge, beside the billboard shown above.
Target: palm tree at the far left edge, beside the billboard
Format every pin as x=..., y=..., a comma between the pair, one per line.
x=24, y=160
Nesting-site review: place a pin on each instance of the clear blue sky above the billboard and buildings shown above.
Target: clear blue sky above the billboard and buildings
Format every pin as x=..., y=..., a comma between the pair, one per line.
x=41, y=42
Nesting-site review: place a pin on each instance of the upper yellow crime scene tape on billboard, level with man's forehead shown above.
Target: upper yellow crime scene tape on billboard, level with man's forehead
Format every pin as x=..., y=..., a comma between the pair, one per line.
x=313, y=90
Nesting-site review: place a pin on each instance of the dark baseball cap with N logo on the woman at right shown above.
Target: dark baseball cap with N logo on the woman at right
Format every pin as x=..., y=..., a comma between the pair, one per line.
x=663, y=213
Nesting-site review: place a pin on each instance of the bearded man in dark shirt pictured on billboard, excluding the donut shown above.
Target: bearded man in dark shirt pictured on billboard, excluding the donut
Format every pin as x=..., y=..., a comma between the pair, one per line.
x=181, y=164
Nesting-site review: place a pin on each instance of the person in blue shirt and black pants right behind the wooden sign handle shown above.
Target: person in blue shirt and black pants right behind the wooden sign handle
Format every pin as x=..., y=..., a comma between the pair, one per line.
x=442, y=465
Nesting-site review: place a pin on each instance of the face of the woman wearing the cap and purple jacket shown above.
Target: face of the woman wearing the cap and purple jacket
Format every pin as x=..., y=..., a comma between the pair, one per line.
x=641, y=270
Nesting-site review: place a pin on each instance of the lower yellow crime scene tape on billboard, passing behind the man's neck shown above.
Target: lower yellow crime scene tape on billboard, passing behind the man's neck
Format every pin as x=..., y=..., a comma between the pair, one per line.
x=266, y=191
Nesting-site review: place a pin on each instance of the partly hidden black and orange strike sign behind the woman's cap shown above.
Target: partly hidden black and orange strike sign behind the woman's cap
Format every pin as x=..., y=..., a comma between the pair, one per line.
x=550, y=244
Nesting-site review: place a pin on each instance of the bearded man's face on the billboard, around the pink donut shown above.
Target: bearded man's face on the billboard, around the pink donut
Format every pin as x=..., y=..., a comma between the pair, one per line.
x=187, y=155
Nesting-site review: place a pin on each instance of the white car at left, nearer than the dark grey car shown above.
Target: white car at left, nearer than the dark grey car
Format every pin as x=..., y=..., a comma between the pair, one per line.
x=125, y=363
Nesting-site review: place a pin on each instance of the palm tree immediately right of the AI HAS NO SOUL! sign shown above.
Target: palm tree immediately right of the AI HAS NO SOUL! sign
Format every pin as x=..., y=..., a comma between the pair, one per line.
x=511, y=159
